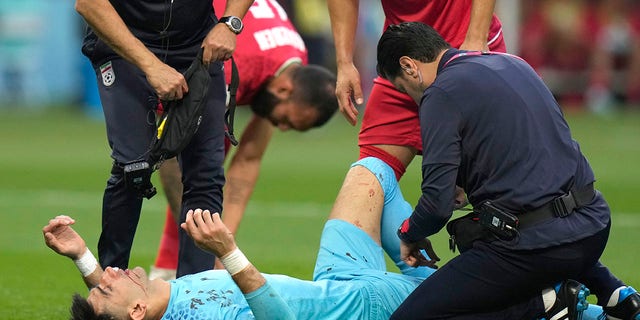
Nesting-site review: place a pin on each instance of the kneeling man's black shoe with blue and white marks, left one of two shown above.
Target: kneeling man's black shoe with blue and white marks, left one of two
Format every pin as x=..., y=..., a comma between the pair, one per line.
x=571, y=301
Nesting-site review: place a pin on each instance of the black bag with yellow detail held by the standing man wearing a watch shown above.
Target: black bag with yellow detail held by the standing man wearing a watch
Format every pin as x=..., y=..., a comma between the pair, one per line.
x=181, y=118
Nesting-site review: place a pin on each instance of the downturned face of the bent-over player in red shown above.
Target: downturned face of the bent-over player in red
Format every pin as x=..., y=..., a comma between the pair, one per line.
x=288, y=115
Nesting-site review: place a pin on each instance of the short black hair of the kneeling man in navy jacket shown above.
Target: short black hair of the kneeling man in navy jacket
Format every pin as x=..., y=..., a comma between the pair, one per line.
x=415, y=40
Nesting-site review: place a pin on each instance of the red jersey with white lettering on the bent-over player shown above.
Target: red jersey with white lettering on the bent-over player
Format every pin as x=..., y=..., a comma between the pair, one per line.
x=268, y=42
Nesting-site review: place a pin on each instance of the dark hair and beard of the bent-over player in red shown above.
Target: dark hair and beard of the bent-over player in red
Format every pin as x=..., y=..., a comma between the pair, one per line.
x=314, y=87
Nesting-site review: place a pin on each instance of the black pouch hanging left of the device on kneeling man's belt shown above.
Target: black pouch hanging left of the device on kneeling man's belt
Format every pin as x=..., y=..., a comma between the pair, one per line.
x=464, y=231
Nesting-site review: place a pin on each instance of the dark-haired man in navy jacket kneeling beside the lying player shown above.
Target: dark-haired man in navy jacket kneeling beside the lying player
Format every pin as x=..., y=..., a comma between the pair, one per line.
x=490, y=125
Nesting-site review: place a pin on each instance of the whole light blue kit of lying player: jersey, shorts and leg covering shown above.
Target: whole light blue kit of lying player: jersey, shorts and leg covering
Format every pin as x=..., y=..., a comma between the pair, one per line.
x=350, y=277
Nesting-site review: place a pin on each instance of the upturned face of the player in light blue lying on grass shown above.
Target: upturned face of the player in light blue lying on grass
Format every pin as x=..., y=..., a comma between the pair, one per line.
x=119, y=290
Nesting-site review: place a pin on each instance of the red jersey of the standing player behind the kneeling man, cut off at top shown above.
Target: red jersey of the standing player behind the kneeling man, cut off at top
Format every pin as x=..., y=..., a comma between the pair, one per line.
x=449, y=17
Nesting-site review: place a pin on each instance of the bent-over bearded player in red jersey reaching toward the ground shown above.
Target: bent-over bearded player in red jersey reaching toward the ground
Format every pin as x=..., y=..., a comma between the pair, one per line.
x=282, y=90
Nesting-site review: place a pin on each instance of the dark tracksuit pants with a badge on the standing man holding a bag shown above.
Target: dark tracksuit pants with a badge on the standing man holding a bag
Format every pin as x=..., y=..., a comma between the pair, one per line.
x=129, y=105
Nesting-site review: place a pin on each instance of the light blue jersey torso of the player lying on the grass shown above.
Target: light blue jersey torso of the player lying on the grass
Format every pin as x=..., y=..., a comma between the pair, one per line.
x=213, y=295
